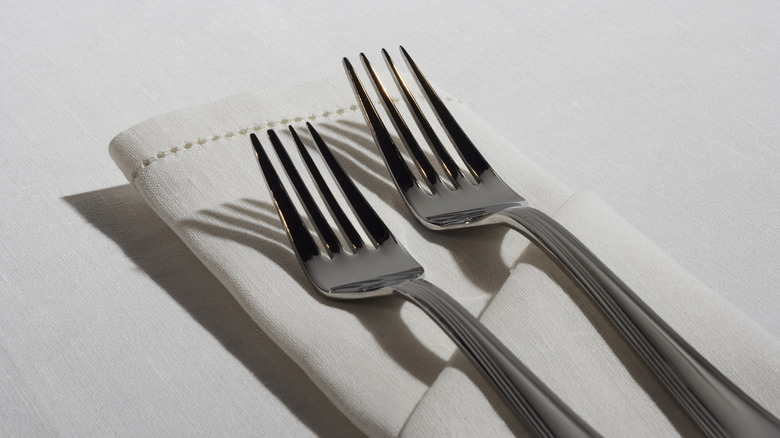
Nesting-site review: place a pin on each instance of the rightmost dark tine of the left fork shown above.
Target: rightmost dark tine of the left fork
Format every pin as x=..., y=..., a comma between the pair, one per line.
x=371, y=222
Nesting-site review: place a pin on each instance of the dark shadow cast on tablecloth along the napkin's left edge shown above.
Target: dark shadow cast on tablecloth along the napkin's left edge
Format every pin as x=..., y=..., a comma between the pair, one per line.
x=122, y=215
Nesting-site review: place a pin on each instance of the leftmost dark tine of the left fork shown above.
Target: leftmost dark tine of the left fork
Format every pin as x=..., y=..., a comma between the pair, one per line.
x=301, y=240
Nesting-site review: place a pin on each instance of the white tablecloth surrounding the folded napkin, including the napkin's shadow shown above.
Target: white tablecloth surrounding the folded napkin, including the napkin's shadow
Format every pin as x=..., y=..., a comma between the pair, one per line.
x=110, y=327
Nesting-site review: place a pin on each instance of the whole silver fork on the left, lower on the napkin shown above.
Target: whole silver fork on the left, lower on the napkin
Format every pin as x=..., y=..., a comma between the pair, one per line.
x=382, y=266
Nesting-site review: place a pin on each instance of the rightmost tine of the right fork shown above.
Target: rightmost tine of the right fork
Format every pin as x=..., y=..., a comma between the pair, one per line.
x=471, y=156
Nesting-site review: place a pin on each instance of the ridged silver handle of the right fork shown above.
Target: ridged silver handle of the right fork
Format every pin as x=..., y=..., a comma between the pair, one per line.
x=714, y=402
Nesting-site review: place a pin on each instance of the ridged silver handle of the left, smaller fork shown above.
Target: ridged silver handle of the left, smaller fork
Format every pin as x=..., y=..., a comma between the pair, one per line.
x=532, y=402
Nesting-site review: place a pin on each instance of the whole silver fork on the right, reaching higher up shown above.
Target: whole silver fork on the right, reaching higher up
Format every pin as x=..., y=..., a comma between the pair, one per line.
x=448, y=200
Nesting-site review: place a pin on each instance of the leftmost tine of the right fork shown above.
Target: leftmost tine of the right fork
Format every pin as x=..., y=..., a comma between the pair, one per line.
x=395, y=162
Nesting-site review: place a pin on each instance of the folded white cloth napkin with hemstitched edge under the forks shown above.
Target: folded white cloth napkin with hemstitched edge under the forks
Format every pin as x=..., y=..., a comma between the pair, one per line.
x=383, y=362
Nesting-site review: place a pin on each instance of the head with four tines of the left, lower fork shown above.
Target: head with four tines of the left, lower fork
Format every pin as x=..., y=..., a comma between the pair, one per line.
x=368, y=268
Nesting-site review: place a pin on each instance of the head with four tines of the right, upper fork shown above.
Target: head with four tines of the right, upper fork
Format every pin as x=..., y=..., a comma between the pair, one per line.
x=439, y=199
